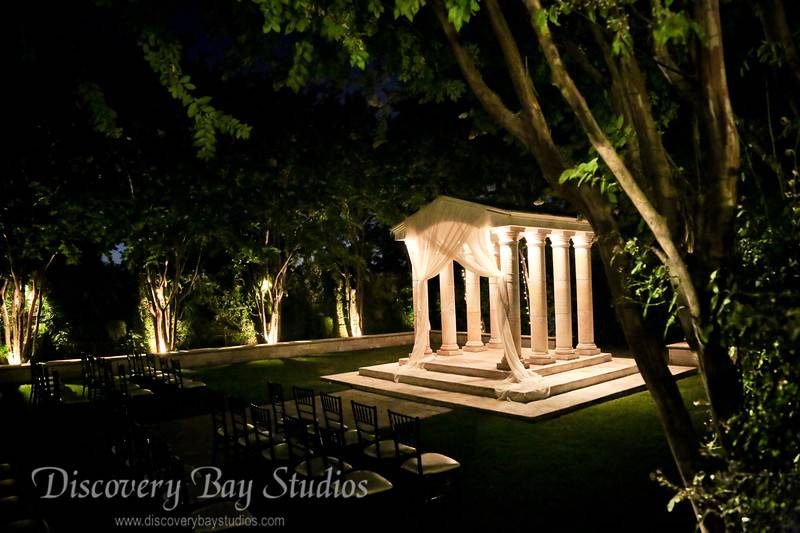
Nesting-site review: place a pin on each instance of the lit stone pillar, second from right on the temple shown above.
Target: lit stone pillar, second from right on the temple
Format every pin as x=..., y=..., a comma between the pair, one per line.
x=559, y=240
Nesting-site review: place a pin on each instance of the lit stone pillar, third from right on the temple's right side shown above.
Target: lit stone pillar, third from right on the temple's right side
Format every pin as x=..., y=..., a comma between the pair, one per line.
x=537, y=288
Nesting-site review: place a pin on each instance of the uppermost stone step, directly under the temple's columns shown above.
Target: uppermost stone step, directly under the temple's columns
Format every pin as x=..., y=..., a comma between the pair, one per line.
x=486, y=367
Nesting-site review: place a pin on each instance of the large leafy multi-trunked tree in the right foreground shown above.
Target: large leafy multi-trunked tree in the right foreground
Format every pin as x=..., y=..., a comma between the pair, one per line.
x=638, y=71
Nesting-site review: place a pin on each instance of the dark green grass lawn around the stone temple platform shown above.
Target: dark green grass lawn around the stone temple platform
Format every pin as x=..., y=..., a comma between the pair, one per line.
x=586, y=470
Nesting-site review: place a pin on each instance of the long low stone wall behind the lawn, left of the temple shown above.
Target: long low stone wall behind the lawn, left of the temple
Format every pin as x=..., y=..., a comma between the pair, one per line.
x=70, y=369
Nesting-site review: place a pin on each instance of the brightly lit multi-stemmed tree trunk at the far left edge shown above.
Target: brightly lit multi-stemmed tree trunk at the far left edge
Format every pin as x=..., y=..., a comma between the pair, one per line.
x=21, y=302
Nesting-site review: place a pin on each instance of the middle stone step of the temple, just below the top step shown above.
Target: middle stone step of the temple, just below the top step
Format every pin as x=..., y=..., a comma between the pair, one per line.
x=480, y=386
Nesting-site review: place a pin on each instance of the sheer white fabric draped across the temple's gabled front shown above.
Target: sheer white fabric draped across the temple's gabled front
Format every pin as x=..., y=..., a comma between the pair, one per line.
x=448, y=230
